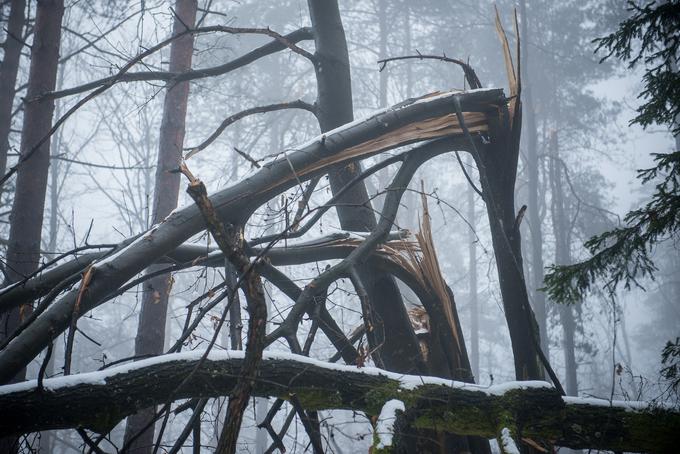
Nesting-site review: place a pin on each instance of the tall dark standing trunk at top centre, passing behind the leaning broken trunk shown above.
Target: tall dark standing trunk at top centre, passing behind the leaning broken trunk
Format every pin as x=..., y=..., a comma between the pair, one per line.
x=400, y=350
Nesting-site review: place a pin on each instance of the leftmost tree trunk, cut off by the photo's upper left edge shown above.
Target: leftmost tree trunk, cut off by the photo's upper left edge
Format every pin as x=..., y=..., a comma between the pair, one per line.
x=8, y=74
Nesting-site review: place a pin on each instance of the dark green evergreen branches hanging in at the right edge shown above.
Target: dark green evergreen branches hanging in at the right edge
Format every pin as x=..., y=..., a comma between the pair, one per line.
x=624, y=255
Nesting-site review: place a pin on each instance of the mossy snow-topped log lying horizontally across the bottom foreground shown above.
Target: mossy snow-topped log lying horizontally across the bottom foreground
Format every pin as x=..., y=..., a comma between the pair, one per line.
x=531, y=410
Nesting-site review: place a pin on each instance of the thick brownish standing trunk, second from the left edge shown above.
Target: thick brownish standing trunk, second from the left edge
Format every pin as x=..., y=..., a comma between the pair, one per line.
x=23, y=252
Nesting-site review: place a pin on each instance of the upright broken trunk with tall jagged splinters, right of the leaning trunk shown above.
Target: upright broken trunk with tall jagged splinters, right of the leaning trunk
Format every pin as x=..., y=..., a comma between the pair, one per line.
x=496, y=161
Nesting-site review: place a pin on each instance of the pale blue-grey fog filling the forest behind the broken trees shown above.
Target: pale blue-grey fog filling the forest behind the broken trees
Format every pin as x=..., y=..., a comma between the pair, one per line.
x=576, y=176
